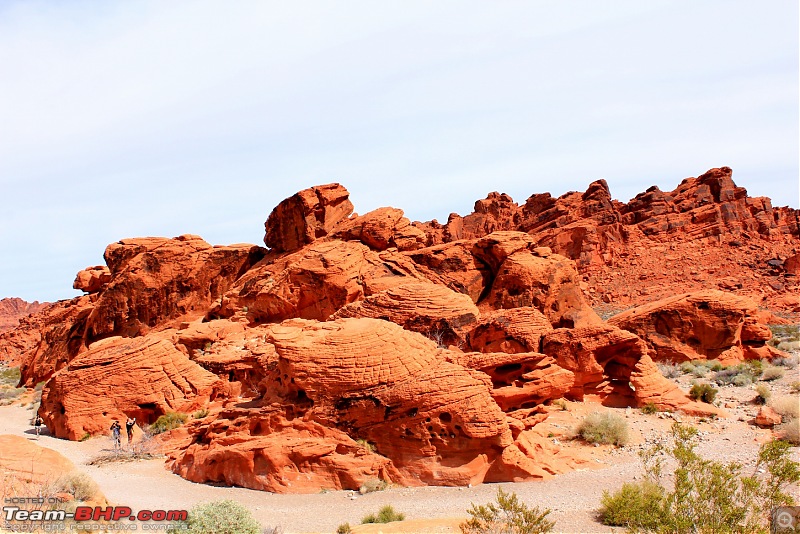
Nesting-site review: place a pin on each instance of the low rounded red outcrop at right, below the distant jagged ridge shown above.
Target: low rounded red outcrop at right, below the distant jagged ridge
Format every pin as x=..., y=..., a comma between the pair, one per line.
x=697, y=326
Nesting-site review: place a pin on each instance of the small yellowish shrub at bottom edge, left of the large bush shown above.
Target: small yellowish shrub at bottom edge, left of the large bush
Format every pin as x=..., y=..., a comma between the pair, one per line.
x=507, y=516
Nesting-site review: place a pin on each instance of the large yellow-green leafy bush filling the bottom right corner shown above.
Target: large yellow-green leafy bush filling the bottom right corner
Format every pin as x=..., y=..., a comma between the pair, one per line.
x=704, y=495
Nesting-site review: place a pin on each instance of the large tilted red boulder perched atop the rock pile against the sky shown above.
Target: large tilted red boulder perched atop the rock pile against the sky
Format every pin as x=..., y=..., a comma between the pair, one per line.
x=306, y=216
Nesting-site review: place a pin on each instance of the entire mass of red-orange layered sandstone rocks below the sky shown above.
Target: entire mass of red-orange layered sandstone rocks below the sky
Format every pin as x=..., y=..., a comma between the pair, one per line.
x=369, y=347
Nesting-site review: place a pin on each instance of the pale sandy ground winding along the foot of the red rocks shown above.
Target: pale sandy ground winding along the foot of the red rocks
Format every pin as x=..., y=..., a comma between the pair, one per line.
x=573, y=497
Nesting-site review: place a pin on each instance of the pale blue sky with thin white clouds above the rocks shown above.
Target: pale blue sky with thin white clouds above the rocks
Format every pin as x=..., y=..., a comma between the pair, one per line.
x=153, y=118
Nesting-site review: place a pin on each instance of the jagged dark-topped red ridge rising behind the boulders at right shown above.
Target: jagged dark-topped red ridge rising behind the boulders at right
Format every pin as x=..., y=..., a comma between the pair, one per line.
x=705, y=232
